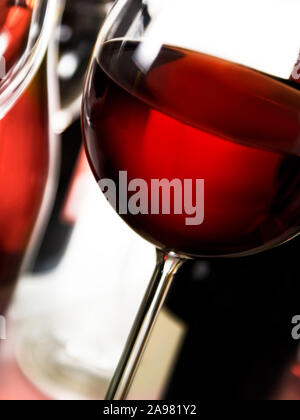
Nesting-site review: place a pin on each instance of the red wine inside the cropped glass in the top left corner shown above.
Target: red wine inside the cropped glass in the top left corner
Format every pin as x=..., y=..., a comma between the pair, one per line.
x=15, y=18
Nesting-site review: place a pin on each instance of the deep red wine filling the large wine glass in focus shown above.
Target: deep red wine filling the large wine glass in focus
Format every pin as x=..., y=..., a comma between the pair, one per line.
x=193, y=116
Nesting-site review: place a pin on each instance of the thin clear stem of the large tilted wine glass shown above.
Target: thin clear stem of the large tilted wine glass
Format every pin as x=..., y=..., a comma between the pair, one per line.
x=166, y=267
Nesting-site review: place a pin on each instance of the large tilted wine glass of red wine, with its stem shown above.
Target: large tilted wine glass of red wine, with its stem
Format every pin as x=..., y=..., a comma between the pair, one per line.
x=191, y=126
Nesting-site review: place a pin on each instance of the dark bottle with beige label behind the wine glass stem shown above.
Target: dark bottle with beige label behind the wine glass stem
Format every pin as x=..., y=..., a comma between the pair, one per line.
x=225, y=331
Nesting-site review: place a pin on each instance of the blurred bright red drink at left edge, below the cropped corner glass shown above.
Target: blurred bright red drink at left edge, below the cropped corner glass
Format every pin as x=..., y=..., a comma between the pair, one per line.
x=23, y=173
